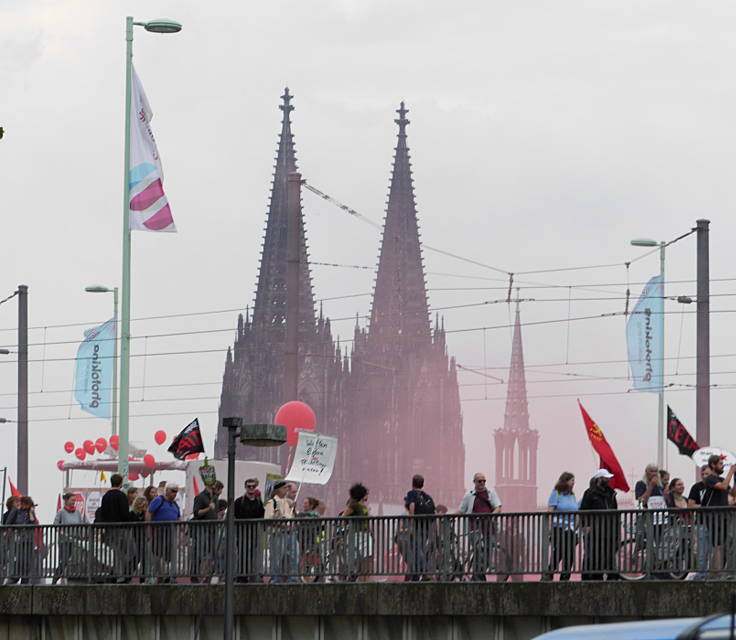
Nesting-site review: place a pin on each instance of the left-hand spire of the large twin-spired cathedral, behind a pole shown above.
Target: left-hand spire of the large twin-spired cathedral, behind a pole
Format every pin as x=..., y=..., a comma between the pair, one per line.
x=270, y=304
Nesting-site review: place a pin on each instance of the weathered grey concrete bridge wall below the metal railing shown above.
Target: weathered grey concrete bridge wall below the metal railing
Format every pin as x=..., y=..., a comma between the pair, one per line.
x=368, y=611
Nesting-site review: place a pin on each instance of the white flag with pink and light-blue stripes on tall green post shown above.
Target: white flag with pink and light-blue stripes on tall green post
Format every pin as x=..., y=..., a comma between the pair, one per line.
x=149, y=208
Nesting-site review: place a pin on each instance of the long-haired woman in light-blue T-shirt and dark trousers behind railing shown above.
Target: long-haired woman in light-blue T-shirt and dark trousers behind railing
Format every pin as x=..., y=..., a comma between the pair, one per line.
x=563, y=502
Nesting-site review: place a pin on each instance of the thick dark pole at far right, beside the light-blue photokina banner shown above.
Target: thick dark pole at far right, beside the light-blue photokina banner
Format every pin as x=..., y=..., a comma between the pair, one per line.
x=702, y=398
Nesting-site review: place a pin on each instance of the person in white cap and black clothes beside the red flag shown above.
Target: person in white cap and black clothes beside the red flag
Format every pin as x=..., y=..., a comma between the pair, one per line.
x=602, y=539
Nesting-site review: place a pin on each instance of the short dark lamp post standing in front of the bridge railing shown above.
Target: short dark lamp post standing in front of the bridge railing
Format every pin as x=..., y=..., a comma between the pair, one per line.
x=256, y=435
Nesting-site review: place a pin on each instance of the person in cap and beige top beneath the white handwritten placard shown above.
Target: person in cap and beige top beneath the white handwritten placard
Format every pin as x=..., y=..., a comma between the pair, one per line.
x=284, y=545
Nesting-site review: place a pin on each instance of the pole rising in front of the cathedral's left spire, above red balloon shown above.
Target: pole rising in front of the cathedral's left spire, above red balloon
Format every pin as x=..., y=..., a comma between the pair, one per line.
x=293, y=208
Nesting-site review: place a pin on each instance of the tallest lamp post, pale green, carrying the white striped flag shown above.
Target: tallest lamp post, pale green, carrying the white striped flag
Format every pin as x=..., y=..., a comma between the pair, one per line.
x=154, y=26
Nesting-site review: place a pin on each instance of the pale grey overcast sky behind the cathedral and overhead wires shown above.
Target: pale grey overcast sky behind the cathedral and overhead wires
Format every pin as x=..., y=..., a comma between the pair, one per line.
x=543, y=135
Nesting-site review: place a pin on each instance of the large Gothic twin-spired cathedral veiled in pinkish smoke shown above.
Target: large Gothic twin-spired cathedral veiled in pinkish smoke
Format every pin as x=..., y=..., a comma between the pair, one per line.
x=393, y=400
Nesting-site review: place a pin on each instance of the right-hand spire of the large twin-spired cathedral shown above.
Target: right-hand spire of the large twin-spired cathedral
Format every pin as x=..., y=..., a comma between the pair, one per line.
x=399, y=308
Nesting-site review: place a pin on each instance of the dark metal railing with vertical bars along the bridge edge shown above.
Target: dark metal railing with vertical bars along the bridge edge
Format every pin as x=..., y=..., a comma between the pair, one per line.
x=595, y=544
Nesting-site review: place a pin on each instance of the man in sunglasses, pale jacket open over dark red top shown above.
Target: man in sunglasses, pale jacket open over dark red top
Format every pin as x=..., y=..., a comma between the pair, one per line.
x=484, y=501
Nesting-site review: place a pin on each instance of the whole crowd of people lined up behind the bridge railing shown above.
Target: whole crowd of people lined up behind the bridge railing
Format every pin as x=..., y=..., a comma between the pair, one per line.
x=284, y=541
